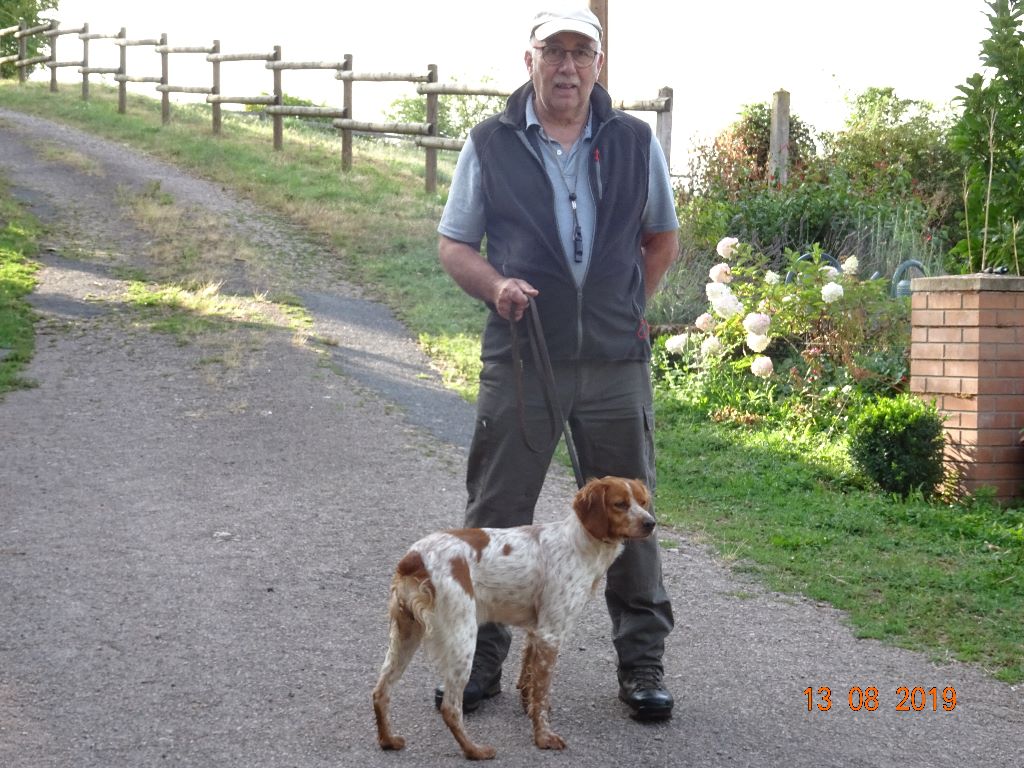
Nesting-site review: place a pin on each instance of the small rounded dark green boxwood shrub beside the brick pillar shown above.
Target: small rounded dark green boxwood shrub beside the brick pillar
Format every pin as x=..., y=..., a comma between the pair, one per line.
x=899, y=443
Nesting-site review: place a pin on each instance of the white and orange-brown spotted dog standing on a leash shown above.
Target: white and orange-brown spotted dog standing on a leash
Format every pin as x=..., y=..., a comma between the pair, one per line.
x=535, y=577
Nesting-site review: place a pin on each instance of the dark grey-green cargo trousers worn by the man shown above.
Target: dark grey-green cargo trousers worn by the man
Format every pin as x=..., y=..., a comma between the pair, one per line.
x=610, y=410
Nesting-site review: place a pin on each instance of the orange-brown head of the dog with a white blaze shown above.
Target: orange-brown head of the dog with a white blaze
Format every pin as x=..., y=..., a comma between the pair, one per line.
x=614, y=509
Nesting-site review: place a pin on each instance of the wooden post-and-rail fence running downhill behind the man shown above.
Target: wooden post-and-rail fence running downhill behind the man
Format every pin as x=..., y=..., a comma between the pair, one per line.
x=426, y=136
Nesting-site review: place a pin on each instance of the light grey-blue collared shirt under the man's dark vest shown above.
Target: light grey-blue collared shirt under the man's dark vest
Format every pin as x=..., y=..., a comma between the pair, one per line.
x=463, y=217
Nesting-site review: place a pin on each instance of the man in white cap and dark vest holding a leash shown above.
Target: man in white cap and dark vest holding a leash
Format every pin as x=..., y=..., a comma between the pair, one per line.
x=574, y=200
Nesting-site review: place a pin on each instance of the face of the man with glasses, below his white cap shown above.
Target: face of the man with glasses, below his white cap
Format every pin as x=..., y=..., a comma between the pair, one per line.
x=564, y=88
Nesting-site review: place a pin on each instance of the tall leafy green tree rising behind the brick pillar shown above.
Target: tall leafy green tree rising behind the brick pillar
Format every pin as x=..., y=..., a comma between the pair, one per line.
x=990, y=139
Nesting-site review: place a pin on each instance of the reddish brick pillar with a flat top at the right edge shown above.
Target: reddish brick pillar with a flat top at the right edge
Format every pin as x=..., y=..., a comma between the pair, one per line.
x=967, y=354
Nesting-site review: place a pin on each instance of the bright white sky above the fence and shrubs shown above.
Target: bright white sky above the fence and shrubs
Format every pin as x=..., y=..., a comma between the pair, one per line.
x=717, y=57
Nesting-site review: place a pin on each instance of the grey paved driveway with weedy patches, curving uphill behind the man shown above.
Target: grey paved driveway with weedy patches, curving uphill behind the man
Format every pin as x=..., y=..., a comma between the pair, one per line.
x=202, y=502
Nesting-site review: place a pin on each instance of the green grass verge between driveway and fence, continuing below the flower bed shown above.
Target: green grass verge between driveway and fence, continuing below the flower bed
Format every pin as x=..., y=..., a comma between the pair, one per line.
x=945, y=580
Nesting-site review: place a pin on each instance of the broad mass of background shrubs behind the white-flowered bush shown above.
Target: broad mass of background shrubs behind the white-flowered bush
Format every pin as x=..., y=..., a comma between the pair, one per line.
x=883, y=189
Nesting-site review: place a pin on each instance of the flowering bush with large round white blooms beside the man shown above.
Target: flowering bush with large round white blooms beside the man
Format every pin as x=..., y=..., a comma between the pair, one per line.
x=805, y=349
